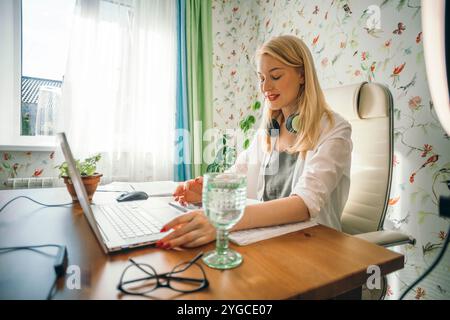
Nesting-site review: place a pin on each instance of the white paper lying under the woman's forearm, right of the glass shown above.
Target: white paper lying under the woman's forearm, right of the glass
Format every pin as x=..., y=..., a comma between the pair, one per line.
x=245, y=237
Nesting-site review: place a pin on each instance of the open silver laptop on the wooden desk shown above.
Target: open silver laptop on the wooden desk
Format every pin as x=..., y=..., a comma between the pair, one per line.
x=120, y=226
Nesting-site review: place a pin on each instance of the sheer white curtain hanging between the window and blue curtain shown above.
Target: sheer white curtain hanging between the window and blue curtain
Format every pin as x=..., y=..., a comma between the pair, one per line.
x=119, y=90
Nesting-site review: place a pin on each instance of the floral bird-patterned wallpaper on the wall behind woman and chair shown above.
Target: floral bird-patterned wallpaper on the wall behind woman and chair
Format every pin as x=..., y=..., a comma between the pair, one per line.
x=354, y=41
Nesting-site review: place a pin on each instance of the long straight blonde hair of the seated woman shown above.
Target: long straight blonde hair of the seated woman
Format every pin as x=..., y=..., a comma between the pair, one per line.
x=293, y=52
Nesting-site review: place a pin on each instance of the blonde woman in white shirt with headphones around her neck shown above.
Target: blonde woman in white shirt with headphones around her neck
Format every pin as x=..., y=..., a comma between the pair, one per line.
x=299, y=165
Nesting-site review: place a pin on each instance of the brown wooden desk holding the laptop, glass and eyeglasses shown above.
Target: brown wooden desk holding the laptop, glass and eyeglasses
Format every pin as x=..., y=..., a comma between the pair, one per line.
x=316, y=263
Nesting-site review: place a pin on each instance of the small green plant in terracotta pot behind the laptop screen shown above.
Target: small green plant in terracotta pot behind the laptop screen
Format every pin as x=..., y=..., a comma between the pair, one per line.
x=89, y=176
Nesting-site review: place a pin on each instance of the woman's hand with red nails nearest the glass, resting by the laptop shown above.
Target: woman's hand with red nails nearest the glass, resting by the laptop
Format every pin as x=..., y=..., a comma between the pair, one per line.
x=191, y=229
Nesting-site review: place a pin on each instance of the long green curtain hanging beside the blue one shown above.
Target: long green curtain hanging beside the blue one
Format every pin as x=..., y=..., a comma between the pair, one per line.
x=199, y=63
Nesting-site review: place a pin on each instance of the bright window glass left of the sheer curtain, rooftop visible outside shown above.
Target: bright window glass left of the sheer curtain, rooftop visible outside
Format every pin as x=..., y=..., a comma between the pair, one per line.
x=46, y=29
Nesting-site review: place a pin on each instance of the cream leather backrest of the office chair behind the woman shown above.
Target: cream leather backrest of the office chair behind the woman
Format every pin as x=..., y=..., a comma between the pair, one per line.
x=368, y=108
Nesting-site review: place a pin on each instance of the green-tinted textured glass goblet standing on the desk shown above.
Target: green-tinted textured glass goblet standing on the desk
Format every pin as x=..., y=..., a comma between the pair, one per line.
x=224, y=196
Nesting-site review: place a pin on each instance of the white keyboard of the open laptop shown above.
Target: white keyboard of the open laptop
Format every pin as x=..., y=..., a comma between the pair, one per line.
x=131, y=221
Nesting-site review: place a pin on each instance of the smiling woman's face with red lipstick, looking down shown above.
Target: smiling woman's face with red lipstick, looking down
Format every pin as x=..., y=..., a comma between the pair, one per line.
x=279, y=82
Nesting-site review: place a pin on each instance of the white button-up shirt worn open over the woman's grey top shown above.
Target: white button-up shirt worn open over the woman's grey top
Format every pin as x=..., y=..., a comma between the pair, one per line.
x=322, y=179
